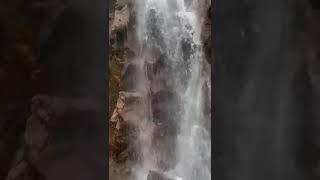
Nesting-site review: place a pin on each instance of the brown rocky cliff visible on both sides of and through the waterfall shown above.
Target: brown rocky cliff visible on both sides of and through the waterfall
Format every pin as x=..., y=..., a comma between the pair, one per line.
x=125, y=103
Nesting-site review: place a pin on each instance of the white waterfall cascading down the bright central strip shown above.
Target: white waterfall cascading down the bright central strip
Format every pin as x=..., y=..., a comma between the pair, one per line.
x=175, y=74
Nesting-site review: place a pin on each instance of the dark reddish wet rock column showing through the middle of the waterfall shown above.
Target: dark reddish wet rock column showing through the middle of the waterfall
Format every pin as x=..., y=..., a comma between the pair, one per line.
x=165, y=109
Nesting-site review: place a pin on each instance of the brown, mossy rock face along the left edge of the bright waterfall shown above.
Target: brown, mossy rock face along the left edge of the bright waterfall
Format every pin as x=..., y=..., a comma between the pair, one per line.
x=122, y=87
